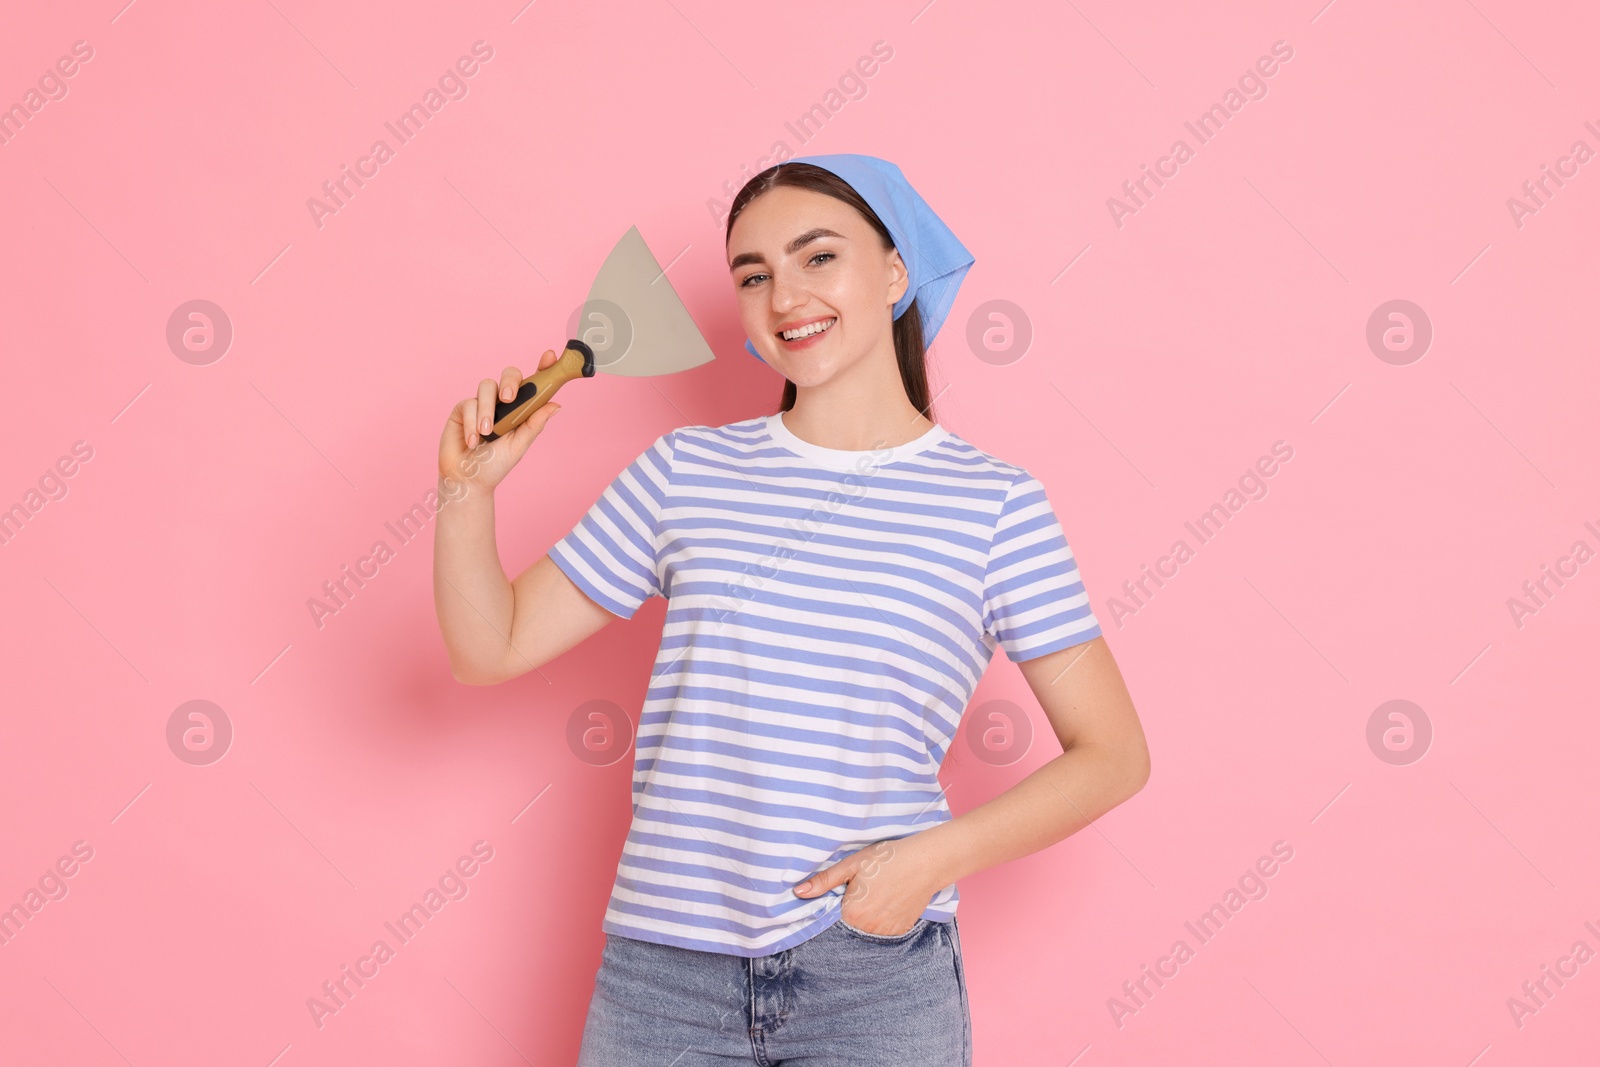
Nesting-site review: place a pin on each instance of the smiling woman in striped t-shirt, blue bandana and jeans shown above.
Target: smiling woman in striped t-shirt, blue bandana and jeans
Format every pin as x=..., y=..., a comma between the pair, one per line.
x=838, y=578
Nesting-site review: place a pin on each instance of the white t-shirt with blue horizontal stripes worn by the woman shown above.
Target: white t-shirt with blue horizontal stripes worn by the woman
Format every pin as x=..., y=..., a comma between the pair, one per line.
x=830, y=615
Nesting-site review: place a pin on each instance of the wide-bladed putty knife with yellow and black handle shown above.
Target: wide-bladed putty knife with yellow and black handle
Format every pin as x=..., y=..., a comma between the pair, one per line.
x=633, y=324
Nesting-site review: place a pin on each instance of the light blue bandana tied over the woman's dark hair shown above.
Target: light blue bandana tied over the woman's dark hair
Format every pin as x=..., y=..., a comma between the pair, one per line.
x=935, y=260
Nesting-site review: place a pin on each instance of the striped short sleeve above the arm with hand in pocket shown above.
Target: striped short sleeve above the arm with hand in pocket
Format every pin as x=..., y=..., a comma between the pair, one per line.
x=1034, y=601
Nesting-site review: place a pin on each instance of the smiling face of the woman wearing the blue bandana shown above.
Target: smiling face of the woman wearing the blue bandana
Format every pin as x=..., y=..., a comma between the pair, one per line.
x=802, y=258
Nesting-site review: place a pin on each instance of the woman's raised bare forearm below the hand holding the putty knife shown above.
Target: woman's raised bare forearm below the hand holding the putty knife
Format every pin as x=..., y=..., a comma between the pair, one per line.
x=473, y=597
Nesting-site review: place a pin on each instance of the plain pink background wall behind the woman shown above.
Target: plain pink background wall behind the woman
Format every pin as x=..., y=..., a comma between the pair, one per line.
x=1228, y=314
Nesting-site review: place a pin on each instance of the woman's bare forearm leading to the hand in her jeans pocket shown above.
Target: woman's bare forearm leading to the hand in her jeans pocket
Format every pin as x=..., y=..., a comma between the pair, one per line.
x=1049, y=805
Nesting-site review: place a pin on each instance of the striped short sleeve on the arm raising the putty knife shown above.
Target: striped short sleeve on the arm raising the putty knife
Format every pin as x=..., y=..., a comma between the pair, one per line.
x=612, y=553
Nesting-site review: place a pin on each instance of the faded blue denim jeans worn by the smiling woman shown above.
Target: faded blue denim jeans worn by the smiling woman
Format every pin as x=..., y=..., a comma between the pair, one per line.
x=842, y=997
